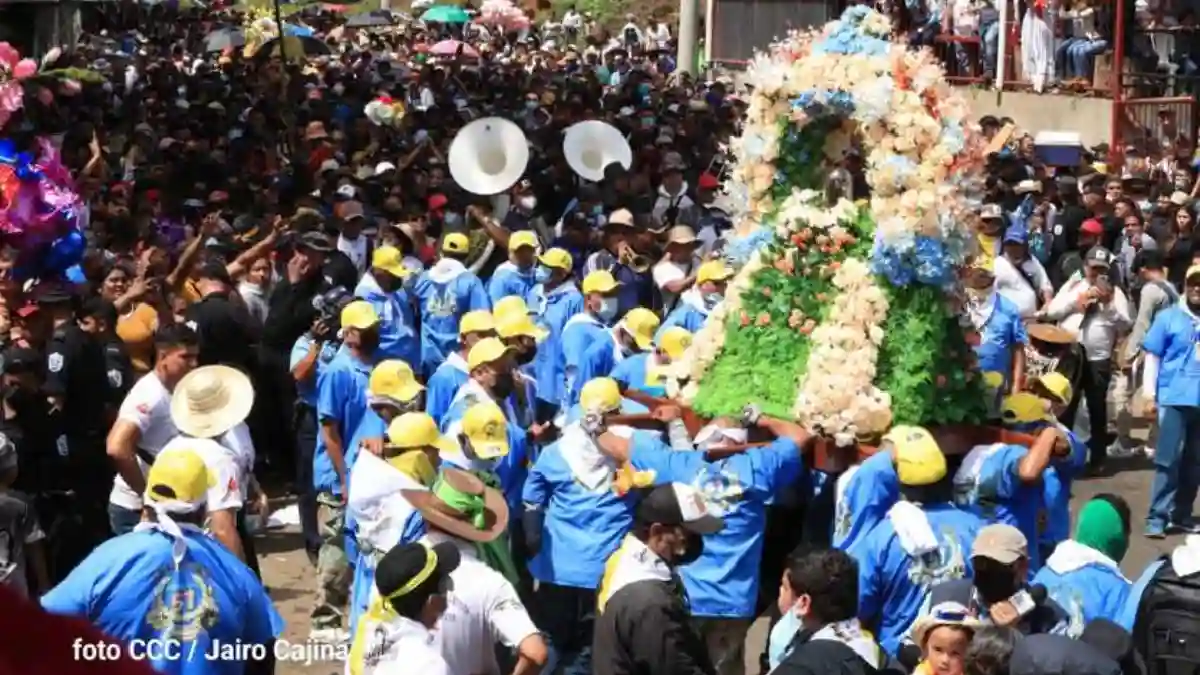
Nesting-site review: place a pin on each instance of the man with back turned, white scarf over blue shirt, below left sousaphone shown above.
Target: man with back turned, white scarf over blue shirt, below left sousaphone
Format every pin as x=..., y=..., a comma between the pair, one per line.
x=446, y=294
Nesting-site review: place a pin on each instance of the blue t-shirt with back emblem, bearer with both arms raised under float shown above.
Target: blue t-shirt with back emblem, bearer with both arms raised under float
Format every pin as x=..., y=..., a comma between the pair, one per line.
x=724, y=582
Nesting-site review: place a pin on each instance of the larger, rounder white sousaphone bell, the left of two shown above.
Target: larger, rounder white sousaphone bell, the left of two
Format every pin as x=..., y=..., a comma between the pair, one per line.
x=489, y=156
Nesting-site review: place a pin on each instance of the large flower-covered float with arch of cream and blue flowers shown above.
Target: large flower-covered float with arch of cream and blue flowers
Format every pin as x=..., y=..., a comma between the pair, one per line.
x=843, y=315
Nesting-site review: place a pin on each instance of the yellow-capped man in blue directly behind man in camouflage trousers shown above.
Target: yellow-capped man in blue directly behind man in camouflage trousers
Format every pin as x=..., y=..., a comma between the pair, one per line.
x=383, y=286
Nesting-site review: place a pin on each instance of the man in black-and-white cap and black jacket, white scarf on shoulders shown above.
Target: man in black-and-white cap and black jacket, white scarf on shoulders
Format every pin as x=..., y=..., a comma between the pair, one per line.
x=644, y=617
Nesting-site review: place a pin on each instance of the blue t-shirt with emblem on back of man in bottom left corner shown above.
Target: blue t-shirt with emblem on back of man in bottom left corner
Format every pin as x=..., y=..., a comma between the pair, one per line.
x=131, y=589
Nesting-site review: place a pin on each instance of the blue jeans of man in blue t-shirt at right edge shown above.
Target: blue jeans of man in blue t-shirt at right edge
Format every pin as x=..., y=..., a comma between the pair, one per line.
x=1177, y=468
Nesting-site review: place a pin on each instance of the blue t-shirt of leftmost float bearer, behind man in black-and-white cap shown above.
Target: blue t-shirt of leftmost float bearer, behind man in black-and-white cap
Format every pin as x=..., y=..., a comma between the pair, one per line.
x=581, y=528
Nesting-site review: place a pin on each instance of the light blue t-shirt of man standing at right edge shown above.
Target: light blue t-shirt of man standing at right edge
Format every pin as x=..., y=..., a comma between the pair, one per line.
x=1175, y=339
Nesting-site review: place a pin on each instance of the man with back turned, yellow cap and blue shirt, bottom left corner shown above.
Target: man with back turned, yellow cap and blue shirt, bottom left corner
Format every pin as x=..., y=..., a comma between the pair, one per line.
x=169, y=584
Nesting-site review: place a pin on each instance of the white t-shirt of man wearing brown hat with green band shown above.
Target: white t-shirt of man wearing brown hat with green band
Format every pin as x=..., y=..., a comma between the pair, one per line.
x=483, y=608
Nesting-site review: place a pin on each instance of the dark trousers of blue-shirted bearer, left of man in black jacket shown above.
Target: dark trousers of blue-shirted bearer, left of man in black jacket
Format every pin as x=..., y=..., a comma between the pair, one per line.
x=567, y=616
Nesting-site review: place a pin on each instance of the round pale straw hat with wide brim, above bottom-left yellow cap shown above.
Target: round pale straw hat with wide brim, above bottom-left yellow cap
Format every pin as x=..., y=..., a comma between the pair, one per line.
x=212, y=401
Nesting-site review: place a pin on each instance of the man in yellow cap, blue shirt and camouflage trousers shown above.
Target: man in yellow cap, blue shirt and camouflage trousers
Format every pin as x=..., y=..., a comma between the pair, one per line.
x=341, y=405
